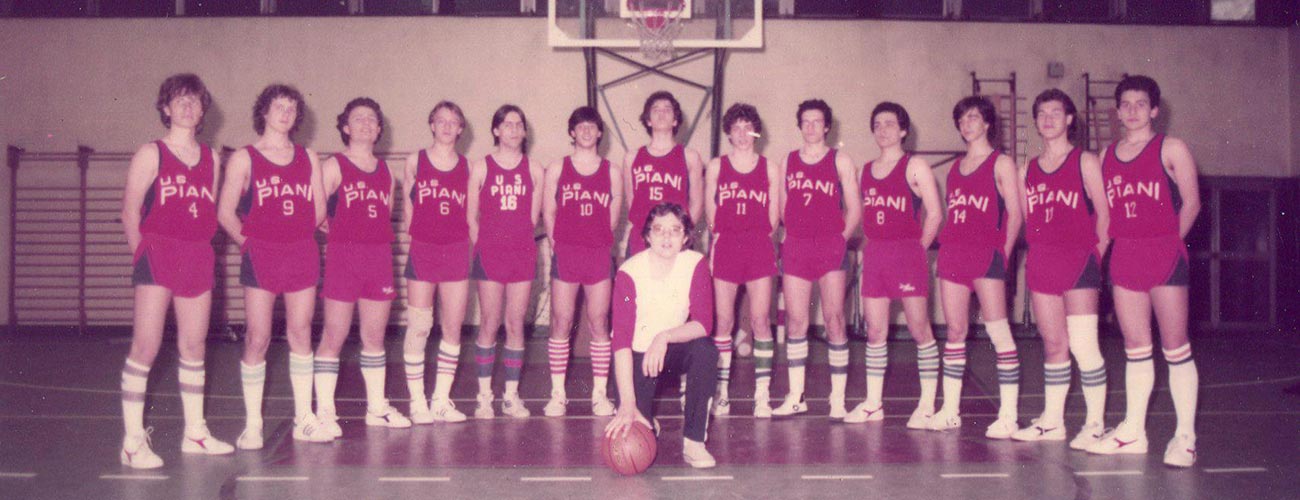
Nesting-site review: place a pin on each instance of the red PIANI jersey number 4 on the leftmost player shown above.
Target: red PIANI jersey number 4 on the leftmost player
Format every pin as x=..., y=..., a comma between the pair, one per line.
x=183, y=202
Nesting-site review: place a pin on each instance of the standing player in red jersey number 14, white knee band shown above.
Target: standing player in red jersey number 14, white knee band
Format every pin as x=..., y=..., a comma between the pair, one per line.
x=982, y=227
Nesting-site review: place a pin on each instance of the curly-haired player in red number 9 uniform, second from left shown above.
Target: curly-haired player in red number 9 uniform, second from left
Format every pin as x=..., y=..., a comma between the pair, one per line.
x=271, y=205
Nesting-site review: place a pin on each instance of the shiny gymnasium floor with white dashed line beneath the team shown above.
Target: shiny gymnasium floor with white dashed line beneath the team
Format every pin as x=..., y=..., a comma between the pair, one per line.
x=60, y=429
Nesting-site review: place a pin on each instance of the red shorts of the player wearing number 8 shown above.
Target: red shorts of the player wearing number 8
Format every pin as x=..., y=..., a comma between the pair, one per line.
x=895, y=269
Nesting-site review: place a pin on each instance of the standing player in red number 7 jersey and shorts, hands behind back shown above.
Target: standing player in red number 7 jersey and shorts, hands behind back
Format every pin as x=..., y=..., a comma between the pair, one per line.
x=821, y=208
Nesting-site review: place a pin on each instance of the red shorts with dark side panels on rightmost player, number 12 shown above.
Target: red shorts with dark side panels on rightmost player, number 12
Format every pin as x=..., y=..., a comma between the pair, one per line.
x=1145, y=264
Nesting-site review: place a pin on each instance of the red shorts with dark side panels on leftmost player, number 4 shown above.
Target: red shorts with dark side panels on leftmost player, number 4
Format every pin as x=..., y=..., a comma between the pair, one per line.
x=183, y=267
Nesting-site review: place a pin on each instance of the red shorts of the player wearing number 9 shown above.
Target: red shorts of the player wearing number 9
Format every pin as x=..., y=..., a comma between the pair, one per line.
x=280, y=268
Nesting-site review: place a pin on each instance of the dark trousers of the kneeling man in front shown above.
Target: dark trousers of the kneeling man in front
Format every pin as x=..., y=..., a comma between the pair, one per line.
x=699, y=362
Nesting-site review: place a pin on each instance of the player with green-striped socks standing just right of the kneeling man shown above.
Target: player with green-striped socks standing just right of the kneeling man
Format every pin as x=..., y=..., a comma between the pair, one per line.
x=740, y=192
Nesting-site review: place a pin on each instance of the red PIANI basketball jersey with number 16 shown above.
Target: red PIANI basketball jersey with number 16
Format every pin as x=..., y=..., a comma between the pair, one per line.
x=505, y=207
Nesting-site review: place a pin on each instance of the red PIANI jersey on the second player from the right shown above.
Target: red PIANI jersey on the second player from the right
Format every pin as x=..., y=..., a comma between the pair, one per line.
x=1060, y=212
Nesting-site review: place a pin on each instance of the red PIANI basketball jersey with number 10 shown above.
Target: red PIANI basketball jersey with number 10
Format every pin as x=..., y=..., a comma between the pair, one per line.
x=583, y=207
